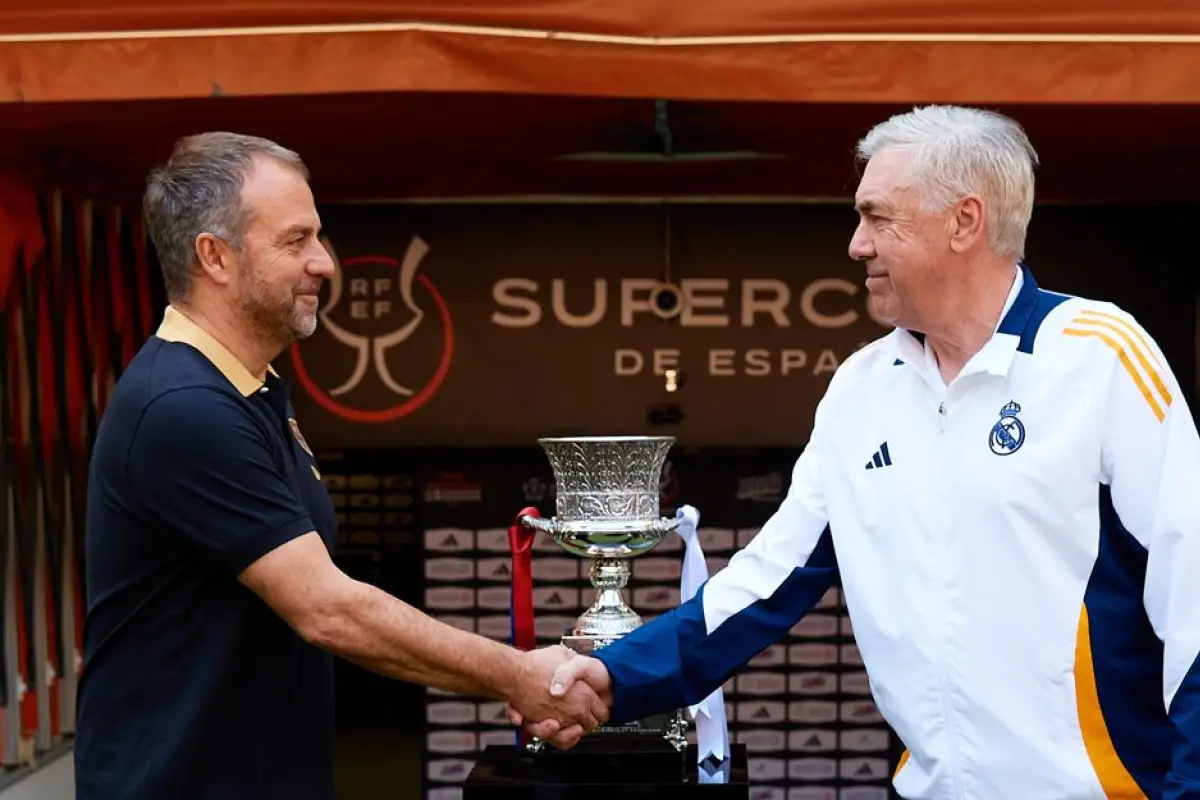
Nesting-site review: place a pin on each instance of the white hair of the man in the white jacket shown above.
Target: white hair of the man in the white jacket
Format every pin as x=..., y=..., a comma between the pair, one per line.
x=958, y=152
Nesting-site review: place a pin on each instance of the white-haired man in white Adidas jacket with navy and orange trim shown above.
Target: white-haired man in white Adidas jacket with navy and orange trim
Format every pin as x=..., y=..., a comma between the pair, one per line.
x=1005, y=485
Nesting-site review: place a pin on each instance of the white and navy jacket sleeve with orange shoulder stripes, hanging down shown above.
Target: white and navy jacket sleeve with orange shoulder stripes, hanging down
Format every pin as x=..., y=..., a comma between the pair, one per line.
x=1150, y=506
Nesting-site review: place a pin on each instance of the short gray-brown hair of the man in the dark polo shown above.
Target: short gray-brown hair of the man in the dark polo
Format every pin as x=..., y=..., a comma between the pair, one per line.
x=200, y=191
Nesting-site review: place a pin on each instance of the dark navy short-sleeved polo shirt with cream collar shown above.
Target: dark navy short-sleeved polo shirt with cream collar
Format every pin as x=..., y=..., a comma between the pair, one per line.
x=193, y=688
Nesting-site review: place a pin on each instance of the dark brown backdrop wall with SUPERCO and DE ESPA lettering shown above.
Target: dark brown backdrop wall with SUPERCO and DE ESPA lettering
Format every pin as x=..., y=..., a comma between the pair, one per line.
x=494, y=326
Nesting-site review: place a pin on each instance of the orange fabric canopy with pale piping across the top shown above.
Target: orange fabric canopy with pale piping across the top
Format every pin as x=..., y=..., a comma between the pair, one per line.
x=806, y=51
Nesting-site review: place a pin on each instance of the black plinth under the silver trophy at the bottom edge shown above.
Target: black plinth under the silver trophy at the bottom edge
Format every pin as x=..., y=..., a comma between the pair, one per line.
x=605, y=768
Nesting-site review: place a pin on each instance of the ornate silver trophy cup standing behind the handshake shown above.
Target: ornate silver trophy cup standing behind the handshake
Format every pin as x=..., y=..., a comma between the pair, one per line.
x=608, y=512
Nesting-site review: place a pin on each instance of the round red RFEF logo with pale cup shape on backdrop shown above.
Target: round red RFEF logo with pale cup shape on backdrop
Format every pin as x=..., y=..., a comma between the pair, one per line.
x=386, y=340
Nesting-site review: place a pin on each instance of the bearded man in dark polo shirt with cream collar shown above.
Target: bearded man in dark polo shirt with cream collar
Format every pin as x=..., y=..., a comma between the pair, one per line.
x=214, y=609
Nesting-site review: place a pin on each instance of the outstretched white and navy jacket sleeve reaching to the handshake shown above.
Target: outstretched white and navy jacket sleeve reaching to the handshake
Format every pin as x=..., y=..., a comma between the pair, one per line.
x=683, y=655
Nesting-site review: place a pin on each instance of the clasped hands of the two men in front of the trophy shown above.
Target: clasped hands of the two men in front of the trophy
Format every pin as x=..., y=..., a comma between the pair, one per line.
x=560, y=696
